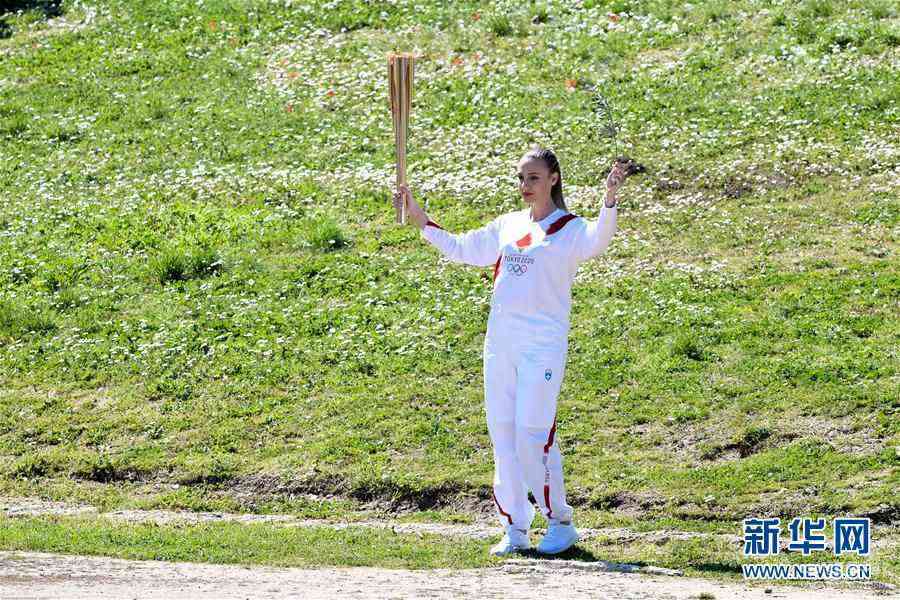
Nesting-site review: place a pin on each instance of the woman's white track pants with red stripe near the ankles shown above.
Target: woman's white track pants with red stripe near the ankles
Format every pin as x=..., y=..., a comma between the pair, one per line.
x=521, y=387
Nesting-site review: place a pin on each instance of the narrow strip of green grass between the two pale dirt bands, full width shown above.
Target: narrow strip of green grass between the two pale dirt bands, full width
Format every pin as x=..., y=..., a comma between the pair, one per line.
x=285, y=546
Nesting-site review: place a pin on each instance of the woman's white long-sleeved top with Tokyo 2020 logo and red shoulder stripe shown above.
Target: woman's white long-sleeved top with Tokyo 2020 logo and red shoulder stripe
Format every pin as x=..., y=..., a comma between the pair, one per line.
x=534, y=267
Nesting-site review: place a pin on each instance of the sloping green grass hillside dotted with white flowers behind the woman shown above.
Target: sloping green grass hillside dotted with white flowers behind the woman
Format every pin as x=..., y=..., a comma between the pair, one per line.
x=205, y=303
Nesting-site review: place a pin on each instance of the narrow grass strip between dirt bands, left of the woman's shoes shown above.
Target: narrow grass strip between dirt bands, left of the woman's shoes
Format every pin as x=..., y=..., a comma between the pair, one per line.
x=243, y=544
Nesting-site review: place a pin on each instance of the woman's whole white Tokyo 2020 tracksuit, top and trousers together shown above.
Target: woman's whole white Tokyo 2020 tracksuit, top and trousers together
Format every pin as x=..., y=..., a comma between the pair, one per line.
x=526, y=344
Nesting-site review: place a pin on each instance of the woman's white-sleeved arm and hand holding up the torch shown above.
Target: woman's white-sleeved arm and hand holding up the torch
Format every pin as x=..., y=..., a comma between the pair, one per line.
x=478, y=247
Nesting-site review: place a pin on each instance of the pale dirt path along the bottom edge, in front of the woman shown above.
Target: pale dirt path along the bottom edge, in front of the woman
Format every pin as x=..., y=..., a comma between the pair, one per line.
x=39, y=576
